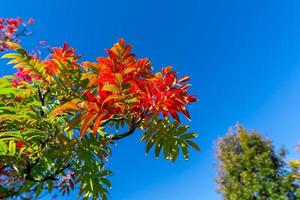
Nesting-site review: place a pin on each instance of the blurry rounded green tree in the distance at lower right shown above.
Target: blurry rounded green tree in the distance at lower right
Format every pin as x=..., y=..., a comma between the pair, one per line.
x=249, y=168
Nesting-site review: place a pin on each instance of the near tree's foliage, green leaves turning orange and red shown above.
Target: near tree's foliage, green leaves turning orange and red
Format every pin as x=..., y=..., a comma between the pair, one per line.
x=56, y=114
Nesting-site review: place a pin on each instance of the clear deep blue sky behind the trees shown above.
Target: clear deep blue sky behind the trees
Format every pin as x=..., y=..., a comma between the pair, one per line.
x=244, y=58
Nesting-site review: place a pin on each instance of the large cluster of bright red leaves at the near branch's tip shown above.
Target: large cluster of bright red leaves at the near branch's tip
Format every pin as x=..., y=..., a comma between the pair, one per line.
x=126, y=87
